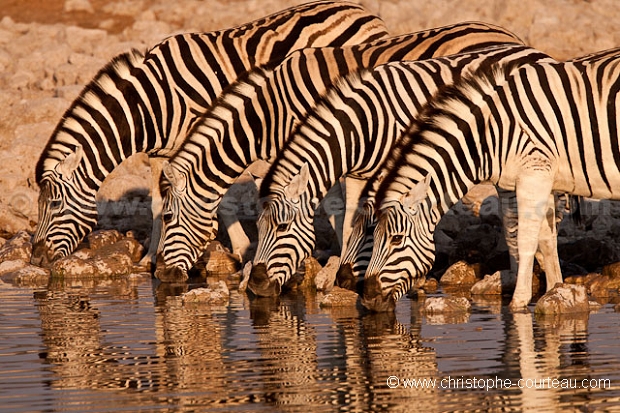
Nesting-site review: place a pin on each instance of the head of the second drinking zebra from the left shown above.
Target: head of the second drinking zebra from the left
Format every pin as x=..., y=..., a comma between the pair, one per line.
x=189, y=223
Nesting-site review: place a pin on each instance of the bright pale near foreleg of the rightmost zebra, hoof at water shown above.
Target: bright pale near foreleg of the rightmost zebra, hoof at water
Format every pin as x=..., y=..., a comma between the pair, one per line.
x=533, y=187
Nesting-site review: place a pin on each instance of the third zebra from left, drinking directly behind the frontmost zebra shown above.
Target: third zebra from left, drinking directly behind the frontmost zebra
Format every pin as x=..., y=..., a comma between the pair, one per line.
x=349, y=133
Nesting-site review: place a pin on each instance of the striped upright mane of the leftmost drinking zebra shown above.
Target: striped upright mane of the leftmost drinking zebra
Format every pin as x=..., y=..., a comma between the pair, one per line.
x=119, y=65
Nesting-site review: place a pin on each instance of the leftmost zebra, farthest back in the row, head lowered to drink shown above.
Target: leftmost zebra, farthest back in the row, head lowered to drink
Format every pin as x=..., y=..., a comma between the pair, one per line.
x=148, y=102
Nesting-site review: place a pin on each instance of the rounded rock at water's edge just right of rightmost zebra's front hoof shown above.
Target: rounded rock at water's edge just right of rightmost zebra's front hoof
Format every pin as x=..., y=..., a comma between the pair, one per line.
x=563, y=298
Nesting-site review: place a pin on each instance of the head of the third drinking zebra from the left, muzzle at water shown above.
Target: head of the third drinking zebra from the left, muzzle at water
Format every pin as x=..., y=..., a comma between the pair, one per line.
x=285, y=235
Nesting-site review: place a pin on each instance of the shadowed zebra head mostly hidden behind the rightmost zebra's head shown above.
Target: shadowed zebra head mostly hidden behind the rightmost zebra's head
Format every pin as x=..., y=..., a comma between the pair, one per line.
x=355, y=258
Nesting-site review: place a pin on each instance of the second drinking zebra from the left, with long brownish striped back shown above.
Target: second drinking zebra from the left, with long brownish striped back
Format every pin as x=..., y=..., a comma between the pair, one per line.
x=254, y=117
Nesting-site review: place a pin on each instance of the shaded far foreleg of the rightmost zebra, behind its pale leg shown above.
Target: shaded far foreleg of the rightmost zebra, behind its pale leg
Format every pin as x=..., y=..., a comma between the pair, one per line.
x=548, y=245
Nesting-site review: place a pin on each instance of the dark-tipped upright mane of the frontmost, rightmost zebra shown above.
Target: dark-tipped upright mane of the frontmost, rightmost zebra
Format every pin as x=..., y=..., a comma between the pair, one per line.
x=453, y=101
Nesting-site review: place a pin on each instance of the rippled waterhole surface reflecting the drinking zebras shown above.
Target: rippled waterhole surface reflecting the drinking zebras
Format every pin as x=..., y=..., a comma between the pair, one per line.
x=132, y=345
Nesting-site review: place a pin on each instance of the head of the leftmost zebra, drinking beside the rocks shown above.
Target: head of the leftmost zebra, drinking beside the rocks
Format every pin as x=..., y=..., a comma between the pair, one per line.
x=67, y=209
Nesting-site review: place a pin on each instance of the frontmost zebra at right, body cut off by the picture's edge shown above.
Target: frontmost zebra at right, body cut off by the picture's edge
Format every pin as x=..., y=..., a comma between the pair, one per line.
x=548, y=127
